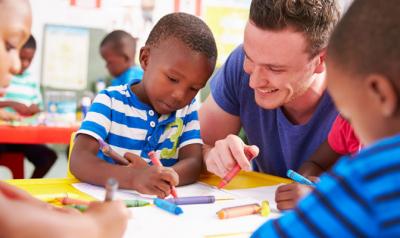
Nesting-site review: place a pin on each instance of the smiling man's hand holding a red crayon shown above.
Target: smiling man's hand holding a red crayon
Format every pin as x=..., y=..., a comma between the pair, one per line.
x=221, y=158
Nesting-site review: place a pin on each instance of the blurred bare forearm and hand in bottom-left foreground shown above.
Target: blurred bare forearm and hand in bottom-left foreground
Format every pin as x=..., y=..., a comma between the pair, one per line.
x=100, y=221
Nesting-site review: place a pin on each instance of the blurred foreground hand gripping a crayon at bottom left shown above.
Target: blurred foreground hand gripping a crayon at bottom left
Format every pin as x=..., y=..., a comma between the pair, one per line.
x=111, y=218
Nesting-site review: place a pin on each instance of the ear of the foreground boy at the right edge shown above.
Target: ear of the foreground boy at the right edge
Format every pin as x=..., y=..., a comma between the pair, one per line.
x=383, y=93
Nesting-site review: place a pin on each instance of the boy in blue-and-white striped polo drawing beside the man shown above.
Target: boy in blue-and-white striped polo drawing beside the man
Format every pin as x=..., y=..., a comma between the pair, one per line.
x=157, y=113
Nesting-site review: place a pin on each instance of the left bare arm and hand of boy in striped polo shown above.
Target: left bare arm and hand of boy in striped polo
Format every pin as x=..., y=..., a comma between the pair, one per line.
x=87, y=167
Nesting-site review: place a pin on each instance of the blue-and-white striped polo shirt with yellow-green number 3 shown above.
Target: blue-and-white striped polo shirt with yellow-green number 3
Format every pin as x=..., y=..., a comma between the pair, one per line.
x=129, y=125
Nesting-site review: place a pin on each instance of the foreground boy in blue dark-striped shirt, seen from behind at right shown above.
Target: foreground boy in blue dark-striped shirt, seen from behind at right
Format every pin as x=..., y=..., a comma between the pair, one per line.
x=359, y=197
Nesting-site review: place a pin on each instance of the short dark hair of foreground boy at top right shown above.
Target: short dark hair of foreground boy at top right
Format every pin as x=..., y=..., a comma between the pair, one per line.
x=367, y=40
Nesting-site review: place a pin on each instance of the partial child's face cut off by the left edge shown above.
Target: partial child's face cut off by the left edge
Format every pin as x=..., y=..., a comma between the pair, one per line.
x=15, y=25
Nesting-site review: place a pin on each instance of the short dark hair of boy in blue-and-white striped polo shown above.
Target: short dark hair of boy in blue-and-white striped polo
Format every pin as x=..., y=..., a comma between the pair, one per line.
x=187, y=28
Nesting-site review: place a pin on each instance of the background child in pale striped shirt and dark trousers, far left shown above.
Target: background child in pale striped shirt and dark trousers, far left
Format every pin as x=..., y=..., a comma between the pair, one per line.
x=23, y=97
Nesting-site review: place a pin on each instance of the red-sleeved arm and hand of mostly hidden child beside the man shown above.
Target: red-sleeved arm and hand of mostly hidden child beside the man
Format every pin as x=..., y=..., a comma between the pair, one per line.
x=341, y=141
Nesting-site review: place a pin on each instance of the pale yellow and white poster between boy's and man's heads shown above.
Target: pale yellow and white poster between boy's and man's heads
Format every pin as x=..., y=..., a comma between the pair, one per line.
x=227, y=19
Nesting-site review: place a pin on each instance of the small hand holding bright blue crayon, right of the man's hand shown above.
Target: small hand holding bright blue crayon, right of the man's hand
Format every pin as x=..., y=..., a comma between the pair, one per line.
x=288, y=195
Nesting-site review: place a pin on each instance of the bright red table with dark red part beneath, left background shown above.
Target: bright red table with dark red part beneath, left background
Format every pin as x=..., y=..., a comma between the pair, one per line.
x=30, y=135
